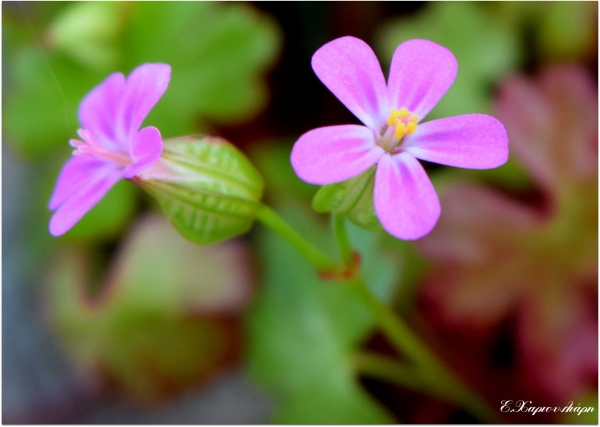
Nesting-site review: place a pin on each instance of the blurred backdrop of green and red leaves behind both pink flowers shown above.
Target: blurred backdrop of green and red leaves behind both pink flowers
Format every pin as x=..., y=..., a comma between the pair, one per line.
x=121, y=320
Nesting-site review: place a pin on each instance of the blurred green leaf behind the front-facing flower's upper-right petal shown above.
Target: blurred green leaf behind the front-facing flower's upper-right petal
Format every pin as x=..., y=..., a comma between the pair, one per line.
x=485, y=49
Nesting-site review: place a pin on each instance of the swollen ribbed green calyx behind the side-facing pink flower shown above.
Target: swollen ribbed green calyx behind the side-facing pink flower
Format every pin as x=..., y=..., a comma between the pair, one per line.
x=206, y=186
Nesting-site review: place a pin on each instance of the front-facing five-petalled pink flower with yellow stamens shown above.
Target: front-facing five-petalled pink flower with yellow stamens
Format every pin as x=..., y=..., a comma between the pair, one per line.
x=392, y=136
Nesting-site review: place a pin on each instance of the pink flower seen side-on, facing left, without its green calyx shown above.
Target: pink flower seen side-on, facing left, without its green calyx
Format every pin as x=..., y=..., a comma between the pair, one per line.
x=113, y=146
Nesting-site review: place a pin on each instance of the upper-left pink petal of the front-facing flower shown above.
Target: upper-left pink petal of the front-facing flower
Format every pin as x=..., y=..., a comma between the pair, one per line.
x=350, y=69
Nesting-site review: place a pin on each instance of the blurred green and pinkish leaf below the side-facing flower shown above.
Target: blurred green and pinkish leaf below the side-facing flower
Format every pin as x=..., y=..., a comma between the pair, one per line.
x=165, y=317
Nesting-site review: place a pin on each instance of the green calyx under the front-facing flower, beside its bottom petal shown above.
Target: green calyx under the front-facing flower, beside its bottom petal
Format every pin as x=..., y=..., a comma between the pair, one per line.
x=353, y=198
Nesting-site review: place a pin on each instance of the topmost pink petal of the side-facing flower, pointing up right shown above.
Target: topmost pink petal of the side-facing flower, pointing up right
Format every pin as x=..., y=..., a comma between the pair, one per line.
x=144, y=87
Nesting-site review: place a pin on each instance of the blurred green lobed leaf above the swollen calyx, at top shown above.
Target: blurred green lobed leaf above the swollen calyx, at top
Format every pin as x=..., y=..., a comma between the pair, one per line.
x=218, y=53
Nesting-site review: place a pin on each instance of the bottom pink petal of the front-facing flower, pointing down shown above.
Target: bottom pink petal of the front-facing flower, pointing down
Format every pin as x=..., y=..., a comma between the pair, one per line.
x=405, y=200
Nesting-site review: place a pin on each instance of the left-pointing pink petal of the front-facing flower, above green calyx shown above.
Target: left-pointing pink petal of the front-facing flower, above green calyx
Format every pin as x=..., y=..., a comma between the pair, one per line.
x=334, y=154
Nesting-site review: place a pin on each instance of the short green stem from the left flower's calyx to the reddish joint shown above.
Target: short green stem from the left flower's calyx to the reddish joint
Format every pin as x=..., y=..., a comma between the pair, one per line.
x=272, y=220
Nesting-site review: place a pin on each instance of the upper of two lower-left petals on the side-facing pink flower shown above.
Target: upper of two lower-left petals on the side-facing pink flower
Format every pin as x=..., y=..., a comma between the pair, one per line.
x=77, y=173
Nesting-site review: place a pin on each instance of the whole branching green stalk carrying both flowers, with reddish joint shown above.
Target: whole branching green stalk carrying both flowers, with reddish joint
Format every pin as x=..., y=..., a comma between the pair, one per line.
x=424, y=372
